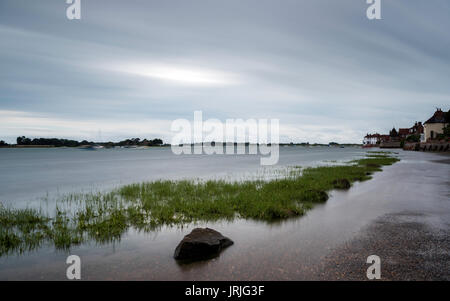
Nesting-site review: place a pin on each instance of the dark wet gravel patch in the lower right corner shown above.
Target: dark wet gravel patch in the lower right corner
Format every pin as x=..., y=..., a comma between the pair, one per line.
x=407, y=247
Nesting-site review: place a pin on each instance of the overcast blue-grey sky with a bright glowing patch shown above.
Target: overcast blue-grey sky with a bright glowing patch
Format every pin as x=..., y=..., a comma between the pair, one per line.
x=129, y=68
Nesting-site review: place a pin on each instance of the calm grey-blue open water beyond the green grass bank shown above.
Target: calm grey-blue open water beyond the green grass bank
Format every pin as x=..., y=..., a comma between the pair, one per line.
x=26, y=174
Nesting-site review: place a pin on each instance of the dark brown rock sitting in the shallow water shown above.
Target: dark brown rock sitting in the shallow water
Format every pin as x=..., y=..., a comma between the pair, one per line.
x=201, y=243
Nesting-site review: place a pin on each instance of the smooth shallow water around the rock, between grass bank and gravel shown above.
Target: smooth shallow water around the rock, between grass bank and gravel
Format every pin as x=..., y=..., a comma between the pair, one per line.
x=294, y=249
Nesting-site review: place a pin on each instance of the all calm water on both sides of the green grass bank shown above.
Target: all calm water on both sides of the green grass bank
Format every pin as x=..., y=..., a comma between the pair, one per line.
x=288, y=250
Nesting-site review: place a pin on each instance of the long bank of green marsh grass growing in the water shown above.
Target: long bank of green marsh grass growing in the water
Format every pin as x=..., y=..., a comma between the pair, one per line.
x=105, y=217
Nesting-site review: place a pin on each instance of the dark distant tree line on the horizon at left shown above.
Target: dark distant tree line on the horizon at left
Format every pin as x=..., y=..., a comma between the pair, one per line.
x=73, y=143
